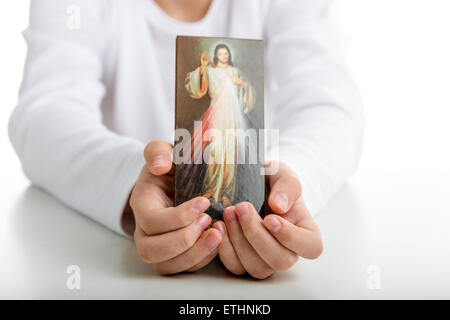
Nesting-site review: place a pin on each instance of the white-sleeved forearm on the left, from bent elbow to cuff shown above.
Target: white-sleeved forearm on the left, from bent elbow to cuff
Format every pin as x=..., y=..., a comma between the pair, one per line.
x=77, y=160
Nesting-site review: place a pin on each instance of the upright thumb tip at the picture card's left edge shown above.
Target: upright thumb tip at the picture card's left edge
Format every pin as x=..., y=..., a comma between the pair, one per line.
x=158, y=155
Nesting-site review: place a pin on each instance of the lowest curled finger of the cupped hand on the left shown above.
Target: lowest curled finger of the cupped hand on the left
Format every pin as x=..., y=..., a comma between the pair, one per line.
x=205, y=246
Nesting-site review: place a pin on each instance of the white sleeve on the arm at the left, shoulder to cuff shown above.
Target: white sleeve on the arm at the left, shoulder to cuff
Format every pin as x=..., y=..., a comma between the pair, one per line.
x=56, y=128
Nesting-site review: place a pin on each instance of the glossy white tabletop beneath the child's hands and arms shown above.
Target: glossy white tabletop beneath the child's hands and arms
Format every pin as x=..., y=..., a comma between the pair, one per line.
x=381, y=241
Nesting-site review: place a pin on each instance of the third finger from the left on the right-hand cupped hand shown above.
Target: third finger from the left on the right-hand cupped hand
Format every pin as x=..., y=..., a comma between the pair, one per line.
x=277, y=256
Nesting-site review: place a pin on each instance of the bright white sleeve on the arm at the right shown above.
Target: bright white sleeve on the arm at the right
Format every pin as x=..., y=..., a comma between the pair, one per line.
x=314, y=102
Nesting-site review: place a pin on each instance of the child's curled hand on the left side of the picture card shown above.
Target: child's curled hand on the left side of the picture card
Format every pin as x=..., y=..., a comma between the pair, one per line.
x=171, y=238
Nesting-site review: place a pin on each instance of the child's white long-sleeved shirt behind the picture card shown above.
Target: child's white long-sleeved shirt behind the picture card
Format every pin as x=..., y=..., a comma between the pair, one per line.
x=99, y=84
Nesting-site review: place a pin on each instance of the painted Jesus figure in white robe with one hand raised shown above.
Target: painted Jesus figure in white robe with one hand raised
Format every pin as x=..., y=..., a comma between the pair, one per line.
x=232, y=97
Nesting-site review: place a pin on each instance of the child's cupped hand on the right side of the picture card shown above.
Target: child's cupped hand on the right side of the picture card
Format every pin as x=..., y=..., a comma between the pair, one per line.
x=262, y=246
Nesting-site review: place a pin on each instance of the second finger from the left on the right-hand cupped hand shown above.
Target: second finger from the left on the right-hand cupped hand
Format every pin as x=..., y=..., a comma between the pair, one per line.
x=250, y=260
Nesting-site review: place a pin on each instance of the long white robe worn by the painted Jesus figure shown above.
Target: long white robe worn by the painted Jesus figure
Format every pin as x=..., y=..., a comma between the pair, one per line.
x=223, y=124
